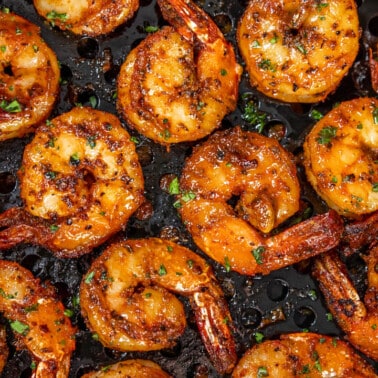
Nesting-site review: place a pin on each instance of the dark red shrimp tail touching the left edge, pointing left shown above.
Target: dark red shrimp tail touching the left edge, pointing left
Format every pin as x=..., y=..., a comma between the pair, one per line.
x=17, y=226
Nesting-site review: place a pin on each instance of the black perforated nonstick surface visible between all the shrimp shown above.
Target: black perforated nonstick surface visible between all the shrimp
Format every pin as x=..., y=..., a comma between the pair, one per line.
x=287, y=300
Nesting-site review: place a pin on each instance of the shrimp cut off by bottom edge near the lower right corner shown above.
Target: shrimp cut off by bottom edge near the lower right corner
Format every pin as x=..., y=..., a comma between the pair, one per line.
x=303, y=354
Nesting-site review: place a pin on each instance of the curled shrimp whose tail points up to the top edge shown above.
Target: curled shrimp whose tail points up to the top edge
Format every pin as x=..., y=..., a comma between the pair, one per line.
x=169, y=93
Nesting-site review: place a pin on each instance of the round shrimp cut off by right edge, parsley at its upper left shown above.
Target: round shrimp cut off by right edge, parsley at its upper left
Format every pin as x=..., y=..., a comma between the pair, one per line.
x=341, y=157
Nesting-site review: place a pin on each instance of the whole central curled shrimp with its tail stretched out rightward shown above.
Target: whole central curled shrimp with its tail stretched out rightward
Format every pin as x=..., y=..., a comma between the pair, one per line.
x=236, y=163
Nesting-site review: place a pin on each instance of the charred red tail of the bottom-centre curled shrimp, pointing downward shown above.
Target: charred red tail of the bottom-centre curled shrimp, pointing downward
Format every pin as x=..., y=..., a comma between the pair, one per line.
x=215, y=327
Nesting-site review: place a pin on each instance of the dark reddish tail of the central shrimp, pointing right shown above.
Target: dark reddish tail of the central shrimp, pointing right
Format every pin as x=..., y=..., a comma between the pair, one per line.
x=305, y=239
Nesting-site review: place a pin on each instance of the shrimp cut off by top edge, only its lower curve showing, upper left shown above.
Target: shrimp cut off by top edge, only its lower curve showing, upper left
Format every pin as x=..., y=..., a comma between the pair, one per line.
x=87, y=17
